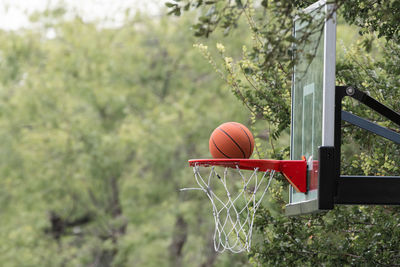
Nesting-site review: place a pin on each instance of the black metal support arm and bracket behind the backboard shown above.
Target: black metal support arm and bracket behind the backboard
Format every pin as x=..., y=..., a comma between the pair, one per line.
x=335, y=188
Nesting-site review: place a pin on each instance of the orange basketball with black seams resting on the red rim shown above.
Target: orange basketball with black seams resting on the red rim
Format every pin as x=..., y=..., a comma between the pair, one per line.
x=231, y=140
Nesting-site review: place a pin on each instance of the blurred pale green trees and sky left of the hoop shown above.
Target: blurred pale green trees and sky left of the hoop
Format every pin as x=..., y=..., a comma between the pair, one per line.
x=101, y=105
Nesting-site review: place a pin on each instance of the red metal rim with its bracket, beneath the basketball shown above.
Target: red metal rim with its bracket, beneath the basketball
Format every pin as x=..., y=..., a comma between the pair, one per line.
x=295, y=171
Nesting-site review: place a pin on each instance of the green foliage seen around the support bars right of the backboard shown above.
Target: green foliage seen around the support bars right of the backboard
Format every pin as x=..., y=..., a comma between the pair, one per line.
x=379, y=77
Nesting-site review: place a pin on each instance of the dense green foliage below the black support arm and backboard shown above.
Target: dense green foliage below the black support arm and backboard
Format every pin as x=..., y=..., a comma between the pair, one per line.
x=361, y=236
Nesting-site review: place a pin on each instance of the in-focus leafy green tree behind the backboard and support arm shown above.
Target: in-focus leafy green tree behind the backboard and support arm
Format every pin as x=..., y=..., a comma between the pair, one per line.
x=261, y=78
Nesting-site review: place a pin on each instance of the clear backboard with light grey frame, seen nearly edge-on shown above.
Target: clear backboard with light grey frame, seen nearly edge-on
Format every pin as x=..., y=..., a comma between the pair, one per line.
x=313, y=99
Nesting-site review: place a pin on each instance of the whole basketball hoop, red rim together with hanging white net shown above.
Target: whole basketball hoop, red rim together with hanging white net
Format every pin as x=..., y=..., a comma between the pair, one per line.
x=234, y=212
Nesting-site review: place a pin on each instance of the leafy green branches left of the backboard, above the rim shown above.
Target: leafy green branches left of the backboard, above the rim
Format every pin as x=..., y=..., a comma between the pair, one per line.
x=261, y=78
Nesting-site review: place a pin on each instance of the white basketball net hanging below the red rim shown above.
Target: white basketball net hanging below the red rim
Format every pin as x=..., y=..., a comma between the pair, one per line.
x=233, y=212
